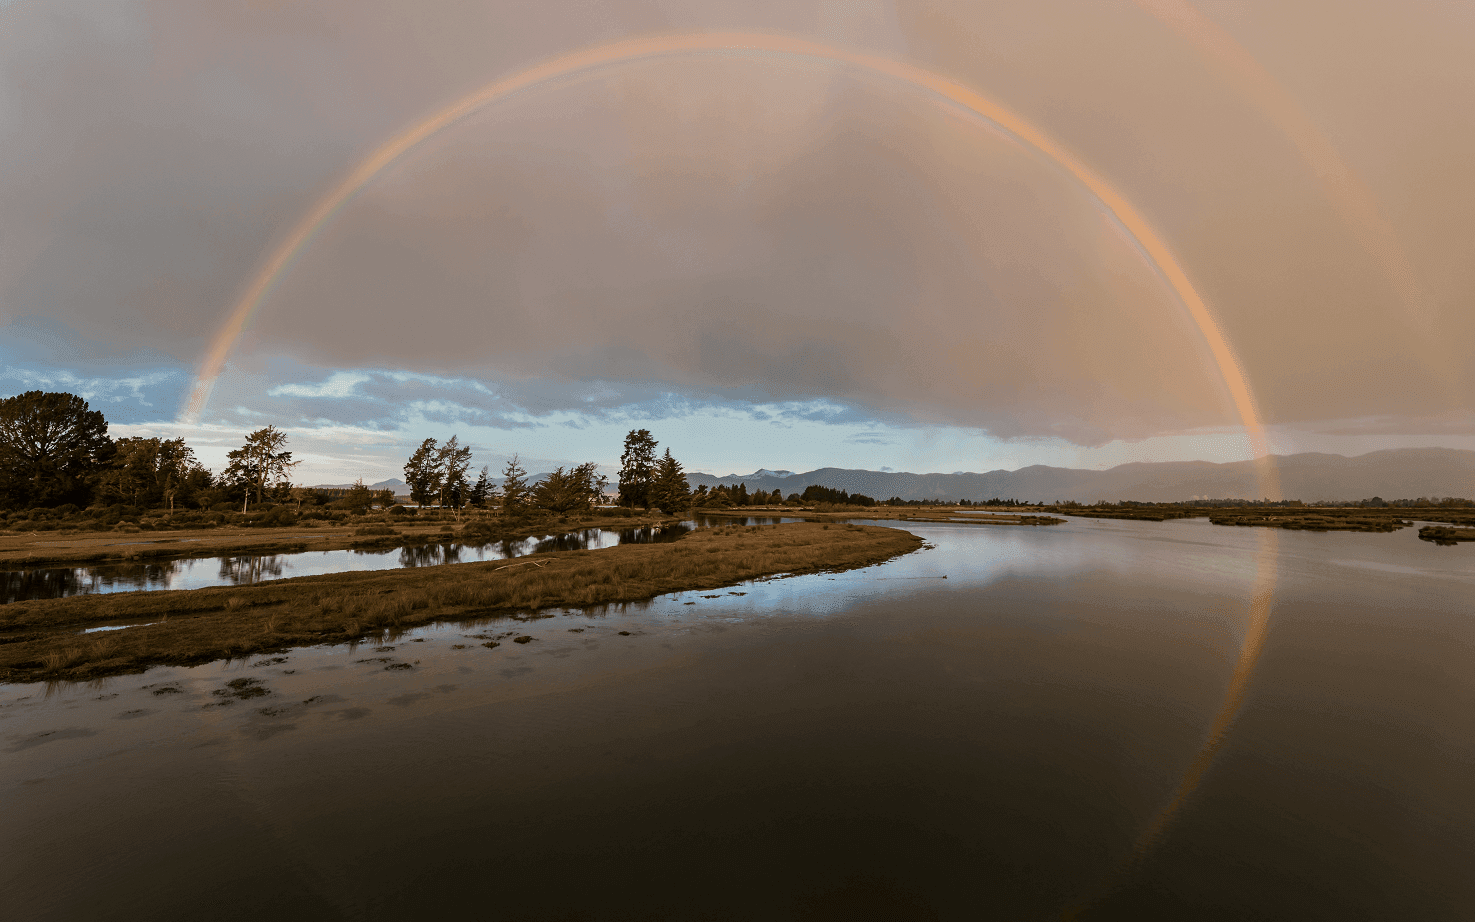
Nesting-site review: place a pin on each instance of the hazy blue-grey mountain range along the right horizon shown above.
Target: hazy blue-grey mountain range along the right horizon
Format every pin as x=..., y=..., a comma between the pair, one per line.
x=1311, y=477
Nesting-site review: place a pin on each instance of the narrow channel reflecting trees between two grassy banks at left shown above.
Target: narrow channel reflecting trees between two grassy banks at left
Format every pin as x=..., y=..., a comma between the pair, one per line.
x=244, y=570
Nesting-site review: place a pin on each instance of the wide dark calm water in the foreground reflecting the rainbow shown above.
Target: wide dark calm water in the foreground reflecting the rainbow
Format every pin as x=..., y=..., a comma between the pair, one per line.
x=881, y=744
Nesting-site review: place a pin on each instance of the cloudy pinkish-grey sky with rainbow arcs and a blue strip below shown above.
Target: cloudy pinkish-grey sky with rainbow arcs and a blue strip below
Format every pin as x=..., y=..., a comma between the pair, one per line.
x=769, y=257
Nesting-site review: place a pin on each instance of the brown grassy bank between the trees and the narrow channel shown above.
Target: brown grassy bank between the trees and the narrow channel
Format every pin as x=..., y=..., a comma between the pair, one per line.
x=73, y=548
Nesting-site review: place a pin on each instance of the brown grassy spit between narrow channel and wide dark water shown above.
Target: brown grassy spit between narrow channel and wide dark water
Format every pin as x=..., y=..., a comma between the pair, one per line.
x=42, y=641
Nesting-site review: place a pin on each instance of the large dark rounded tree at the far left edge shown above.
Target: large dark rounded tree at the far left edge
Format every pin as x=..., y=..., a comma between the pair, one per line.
x=52, y=449
